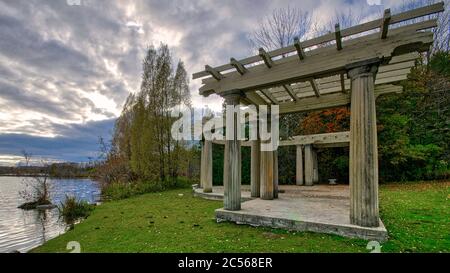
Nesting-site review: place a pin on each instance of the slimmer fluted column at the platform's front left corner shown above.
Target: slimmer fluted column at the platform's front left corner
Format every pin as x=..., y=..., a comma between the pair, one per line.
x=232, y=160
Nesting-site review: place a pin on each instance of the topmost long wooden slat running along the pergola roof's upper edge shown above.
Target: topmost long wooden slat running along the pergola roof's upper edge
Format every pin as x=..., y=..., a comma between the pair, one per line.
x=432, y=9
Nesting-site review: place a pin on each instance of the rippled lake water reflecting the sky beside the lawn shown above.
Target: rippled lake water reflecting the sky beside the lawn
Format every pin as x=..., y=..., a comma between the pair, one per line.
x=24, y=230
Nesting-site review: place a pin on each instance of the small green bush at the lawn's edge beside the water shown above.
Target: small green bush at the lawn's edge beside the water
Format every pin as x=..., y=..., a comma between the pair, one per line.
x=73, y=209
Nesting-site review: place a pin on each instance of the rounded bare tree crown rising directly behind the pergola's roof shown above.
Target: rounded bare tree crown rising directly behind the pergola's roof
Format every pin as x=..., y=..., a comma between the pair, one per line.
x=280, y=28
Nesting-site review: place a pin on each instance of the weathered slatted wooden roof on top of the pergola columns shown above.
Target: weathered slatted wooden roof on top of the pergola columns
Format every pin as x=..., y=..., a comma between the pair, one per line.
x=312, y=74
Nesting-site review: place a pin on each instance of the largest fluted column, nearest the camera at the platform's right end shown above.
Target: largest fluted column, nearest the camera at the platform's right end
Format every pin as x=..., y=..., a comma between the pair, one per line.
x=363, y=146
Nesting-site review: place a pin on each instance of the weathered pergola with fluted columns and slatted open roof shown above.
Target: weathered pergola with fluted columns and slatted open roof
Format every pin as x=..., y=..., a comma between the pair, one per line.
x=348, y=66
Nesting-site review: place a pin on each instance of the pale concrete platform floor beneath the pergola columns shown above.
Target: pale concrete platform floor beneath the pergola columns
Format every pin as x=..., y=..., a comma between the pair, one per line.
x=321, y=208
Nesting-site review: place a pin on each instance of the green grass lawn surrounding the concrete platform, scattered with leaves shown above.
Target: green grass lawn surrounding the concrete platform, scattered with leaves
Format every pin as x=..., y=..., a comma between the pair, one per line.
x=417, y=216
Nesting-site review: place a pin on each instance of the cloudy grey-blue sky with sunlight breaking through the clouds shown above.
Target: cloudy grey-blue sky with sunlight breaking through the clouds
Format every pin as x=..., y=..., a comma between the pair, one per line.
x=67, y=66
